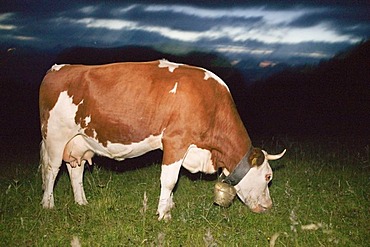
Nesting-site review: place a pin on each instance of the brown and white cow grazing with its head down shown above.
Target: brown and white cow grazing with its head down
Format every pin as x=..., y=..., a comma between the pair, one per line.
x=123, y=110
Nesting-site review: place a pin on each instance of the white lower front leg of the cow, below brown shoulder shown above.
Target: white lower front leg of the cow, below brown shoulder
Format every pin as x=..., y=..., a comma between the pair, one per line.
x=169, y=177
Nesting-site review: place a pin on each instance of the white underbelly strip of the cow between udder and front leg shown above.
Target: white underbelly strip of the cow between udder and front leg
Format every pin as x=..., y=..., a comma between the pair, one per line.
x=119, y=151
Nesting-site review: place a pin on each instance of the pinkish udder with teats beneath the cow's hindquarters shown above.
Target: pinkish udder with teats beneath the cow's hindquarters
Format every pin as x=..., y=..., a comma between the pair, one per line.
x=77, y=152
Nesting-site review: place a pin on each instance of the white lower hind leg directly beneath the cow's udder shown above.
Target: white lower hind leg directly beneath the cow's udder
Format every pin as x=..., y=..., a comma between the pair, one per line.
x=76, y=176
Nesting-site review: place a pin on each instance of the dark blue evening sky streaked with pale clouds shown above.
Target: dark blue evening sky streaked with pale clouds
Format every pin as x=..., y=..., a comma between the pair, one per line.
x=312, y=29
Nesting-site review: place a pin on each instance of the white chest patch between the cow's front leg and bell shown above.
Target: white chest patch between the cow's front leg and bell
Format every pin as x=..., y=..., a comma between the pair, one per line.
x=198, y=160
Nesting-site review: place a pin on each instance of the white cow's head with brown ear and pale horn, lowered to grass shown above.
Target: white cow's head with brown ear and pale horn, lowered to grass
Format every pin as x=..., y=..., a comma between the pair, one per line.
x=253, y=188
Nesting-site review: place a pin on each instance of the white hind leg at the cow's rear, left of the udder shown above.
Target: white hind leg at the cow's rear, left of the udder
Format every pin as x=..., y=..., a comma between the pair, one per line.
x=50, y=163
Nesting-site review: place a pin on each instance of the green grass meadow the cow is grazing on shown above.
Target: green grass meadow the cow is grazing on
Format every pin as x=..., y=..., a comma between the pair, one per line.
x=320, y=194
